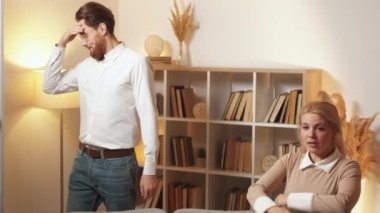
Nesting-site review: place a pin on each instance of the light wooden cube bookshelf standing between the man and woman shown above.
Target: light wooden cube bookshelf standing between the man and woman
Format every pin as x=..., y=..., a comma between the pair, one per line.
x=214, y=86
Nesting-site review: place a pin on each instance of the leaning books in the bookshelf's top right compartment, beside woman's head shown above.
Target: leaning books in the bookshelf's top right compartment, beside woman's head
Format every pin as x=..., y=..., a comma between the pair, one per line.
x=285, y=108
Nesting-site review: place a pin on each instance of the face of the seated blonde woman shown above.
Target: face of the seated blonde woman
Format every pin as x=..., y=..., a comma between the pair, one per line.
x=317, y=136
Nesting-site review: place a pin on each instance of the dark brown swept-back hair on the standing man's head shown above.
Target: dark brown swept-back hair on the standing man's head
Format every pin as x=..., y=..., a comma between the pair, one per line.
x=94, y=13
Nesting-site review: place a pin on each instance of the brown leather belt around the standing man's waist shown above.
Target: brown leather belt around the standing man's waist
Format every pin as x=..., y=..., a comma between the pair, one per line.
x=105, y=153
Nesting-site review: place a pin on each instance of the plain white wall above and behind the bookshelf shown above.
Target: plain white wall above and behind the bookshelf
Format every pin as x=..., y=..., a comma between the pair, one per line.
x=340, y=37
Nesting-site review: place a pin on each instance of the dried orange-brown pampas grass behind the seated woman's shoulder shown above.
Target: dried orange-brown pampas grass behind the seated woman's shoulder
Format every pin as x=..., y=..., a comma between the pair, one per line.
x=358, y=138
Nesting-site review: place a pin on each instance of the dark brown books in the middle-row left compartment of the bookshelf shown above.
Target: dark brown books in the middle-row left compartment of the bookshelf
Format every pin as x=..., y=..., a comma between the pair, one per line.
x=182, y=151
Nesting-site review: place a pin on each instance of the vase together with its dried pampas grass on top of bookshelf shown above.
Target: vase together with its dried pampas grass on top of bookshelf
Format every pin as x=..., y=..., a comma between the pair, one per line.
x=181, y=24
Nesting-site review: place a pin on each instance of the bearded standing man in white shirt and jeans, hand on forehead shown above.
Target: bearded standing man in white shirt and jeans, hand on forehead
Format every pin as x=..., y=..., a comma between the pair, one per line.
x=117, y=99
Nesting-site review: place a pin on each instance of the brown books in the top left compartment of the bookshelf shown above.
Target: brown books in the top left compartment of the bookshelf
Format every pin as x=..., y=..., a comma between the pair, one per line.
x=182, y=101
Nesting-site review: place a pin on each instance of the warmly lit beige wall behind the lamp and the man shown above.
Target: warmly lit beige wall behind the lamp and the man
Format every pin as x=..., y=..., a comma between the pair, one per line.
x=31, y=135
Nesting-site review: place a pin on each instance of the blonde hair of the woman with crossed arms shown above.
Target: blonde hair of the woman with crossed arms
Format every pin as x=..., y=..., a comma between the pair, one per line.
x=330, y=113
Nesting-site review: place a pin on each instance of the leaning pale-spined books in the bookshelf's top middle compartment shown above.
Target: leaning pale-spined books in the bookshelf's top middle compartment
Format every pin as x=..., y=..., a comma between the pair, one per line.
x=239, y=106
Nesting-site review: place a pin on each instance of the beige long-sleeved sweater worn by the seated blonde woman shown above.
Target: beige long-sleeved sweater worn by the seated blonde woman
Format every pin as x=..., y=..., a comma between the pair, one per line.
x=335, y=191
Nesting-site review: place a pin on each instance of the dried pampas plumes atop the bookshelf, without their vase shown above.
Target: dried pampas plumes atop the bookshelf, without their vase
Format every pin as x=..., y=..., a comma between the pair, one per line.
x=181, y=23
